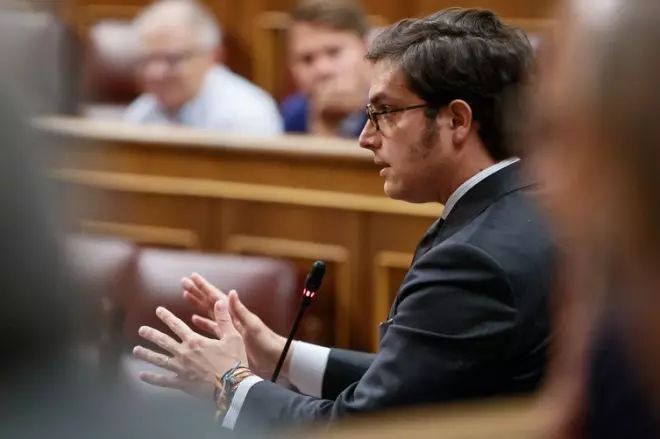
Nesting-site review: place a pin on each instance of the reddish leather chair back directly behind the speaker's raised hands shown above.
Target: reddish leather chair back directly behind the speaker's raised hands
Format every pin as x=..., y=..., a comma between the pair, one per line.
x=267, y=286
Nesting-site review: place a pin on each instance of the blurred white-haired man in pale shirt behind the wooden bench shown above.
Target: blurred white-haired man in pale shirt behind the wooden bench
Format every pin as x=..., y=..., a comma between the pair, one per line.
x=177, y=42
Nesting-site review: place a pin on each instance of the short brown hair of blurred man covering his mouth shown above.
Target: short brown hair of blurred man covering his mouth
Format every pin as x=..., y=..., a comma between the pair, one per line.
x=345, y=15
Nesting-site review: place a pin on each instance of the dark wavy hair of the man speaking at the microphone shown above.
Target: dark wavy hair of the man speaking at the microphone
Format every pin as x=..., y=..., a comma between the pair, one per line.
x=466, y=54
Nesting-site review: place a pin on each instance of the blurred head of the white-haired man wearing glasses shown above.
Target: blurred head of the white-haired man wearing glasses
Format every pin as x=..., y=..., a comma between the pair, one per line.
x=177, y=45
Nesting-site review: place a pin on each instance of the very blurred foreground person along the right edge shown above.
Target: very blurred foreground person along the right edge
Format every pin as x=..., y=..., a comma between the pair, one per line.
x=596, y=146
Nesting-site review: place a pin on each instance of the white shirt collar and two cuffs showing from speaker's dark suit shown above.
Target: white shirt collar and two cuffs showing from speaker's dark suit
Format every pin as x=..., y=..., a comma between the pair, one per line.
x=309, y=361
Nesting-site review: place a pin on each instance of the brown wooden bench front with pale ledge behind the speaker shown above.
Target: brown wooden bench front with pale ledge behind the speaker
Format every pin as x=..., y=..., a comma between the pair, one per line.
x=293, y=197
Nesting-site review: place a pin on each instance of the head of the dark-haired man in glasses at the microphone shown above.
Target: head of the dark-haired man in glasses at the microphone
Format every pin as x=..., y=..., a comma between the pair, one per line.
x=437, y=99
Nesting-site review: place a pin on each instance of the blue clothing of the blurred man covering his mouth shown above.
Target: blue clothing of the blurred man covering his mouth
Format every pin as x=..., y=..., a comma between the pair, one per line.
x=294, y=111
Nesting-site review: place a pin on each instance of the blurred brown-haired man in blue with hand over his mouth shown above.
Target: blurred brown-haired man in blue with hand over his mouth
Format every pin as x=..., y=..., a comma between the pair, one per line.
x=327, y=43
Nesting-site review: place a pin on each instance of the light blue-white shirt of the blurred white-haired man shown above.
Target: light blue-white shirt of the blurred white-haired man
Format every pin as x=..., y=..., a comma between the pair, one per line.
x=226, y=102
